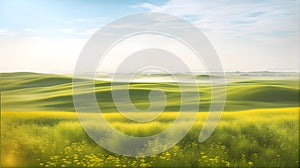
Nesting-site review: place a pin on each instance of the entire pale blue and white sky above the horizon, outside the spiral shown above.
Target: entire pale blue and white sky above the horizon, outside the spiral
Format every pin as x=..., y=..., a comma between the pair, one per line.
x=250, y=35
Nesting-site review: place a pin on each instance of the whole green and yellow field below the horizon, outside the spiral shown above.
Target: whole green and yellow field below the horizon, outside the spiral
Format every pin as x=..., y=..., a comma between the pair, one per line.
x=259, y=128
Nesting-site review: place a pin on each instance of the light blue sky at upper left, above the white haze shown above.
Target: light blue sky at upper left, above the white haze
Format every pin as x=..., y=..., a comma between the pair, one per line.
x=54, y=18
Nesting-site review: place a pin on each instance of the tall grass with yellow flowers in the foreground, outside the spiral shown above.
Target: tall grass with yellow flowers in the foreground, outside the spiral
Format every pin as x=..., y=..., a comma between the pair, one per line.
x=252, y=138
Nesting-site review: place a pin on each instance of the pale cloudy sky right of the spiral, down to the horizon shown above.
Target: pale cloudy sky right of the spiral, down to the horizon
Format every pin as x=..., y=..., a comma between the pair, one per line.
x=248, y=34
